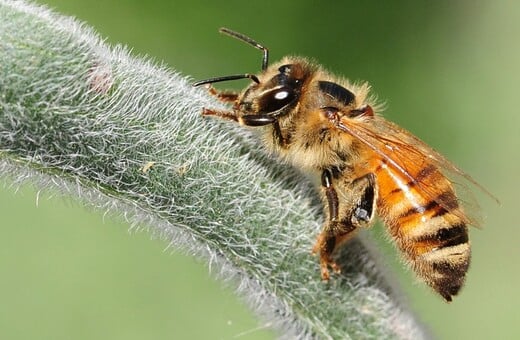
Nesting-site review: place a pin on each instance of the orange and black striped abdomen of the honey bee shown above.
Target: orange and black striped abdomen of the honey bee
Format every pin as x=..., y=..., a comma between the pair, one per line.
x=425, y=220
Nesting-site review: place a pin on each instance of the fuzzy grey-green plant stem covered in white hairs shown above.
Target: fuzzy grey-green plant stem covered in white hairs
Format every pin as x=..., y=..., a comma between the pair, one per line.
x=126, y=136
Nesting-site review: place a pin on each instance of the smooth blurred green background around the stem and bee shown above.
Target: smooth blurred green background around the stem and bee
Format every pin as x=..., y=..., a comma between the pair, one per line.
x=449, y=72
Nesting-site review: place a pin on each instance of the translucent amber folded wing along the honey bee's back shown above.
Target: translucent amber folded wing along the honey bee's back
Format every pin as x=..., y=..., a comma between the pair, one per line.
x=405, y=152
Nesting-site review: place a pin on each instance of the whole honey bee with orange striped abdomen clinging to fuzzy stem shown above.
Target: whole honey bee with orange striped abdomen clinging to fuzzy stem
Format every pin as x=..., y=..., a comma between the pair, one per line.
x=368, y=165
